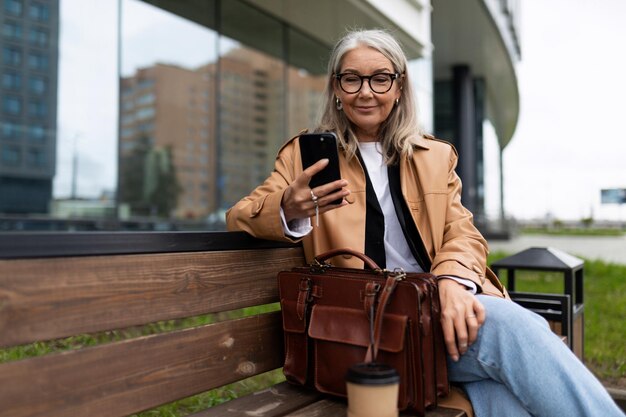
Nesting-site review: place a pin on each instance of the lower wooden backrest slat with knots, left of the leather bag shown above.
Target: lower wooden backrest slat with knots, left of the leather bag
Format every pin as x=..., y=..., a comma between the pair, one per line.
x=121, y=378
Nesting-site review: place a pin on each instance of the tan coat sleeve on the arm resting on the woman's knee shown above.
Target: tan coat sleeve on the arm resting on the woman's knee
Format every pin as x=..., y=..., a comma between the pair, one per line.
x=464, y=250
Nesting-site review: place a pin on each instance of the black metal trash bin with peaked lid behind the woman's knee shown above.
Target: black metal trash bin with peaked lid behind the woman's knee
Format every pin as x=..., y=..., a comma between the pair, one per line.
x=565, y=312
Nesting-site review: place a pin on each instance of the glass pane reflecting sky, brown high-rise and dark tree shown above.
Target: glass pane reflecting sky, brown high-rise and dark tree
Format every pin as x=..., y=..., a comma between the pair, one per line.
x=167, y=109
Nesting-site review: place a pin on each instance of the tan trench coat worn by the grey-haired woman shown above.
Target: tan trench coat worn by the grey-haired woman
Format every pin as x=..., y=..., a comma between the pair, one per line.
x=431, y=189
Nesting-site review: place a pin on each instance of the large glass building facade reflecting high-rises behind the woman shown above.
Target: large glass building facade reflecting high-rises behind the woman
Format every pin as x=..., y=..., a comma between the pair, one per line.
x=161, y=114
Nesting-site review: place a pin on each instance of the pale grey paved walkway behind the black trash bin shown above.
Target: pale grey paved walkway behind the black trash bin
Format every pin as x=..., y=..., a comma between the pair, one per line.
x=606, y=248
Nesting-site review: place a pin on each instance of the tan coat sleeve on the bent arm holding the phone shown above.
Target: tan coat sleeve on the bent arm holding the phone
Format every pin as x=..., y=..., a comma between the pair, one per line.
x=259, y=213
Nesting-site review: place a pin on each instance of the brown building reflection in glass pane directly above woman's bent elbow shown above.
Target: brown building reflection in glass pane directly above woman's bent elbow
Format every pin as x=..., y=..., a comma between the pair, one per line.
x=251, y=118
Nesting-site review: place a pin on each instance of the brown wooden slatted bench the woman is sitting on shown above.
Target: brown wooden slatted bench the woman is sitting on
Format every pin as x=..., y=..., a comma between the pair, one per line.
x=57, y=285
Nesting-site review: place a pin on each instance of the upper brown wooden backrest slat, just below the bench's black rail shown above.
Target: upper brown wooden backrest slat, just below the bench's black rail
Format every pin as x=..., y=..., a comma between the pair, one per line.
x=43, y=299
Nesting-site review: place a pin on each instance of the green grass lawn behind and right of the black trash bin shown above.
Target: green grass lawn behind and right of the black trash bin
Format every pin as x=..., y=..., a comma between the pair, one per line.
x=605, y=313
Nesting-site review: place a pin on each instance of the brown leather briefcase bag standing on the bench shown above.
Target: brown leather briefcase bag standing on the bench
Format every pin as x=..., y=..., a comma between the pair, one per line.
x=336, y=317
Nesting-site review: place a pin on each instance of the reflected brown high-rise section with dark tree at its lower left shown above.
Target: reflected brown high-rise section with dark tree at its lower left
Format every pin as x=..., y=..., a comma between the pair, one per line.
x=167, y=150
